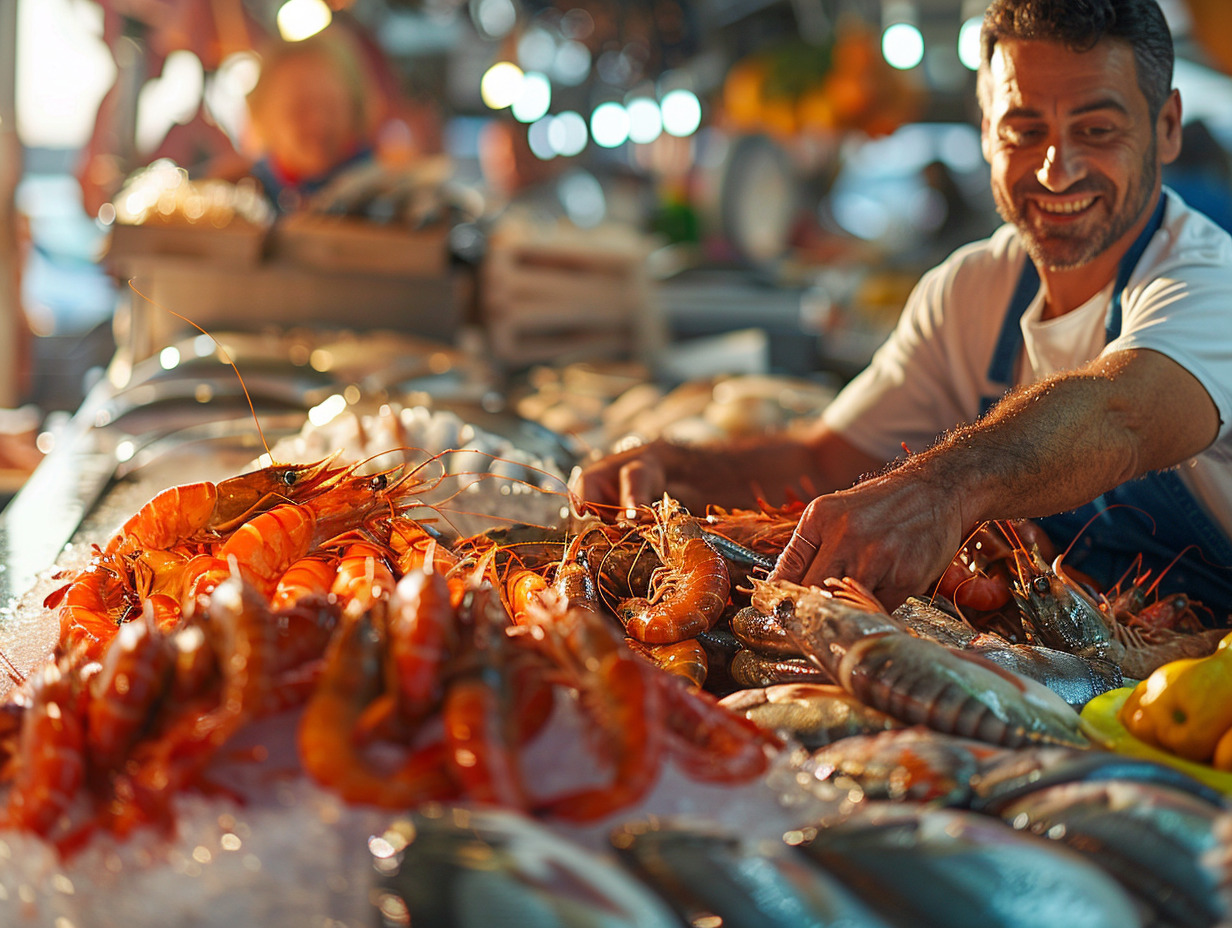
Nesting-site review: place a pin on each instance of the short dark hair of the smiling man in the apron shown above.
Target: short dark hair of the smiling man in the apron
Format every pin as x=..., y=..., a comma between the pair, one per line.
x=1081, y=25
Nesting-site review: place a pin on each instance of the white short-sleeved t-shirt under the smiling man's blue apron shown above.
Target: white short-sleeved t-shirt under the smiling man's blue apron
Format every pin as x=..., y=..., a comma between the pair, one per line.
x=933, y=372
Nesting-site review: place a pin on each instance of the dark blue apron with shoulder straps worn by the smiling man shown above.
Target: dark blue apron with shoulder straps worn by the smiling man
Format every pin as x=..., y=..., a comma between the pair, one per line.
x=1155, y=517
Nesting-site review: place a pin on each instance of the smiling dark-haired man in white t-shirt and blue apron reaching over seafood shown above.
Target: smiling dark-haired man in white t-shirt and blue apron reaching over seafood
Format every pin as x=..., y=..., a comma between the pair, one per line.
x=1103, y=306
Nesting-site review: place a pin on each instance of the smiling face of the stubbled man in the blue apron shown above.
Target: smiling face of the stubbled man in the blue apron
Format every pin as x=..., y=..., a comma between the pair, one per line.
x=1074, y=151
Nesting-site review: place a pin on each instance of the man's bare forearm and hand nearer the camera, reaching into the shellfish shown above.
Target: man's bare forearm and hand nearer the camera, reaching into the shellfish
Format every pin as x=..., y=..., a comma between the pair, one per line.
x=1044, y=449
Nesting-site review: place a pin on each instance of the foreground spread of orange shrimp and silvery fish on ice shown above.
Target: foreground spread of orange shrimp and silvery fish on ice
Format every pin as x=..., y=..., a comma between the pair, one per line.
x=528, y=706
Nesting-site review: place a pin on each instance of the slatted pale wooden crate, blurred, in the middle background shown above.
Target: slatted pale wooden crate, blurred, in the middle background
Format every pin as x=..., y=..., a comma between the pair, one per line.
x=566, y=295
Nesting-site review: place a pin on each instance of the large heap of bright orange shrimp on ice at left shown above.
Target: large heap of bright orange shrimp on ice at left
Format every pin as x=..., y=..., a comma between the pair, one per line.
x=304, y=590
